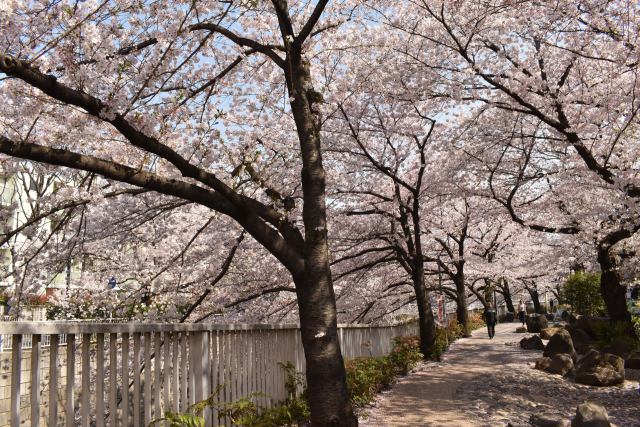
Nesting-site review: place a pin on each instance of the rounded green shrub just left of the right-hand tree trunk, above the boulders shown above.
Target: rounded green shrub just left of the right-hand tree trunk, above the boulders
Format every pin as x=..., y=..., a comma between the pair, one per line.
x=582, y=292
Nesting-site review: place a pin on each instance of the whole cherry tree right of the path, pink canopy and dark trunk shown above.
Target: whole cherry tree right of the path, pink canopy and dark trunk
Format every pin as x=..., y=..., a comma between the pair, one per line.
x=548, y=98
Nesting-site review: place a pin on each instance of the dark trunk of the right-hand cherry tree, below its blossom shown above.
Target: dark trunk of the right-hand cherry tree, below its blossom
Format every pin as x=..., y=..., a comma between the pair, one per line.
x=613, y=291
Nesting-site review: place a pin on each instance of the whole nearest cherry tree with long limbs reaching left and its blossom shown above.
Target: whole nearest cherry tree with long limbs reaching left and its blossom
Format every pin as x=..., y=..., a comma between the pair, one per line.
x=166, y=96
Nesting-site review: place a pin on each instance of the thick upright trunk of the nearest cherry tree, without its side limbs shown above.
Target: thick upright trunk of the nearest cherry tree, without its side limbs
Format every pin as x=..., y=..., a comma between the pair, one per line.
x=329, y=400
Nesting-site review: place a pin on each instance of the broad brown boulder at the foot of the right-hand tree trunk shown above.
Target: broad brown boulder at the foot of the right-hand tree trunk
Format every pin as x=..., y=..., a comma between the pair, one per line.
x=599, y=369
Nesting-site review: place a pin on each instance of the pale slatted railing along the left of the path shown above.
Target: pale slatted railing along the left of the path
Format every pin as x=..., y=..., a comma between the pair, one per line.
x=130, y=374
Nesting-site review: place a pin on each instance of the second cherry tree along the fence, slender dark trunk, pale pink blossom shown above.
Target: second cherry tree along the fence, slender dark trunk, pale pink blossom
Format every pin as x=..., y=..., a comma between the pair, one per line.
x=386, y=143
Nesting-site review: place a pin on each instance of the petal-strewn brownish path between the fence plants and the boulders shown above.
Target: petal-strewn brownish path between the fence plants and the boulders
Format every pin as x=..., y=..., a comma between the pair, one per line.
x=484, y=382
